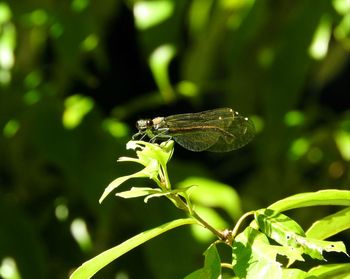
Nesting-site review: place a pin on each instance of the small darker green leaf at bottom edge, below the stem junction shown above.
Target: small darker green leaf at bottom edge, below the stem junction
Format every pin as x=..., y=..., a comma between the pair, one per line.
x=212, y=265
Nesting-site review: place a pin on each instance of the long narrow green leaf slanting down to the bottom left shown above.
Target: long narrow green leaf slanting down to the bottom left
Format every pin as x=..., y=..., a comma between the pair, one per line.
x=89, y=268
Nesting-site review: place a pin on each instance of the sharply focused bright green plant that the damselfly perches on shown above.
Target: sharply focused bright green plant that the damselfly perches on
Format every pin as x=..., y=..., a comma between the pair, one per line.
x=253, y=255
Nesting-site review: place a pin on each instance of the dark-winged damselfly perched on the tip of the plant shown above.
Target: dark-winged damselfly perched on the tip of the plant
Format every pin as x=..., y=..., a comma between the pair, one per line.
x=217, y=130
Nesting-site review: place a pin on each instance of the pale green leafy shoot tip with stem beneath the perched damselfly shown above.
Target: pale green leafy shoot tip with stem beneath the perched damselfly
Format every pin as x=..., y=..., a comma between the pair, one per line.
x=154, y=158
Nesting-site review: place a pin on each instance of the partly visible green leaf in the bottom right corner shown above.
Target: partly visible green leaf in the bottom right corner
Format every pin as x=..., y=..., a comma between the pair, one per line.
x=334, y=271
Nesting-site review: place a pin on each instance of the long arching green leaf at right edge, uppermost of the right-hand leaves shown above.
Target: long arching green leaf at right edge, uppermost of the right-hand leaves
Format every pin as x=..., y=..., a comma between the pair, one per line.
x=323, y=197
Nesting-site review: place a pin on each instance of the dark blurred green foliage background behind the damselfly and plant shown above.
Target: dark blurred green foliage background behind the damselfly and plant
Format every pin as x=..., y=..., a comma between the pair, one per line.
x=75, y=75
